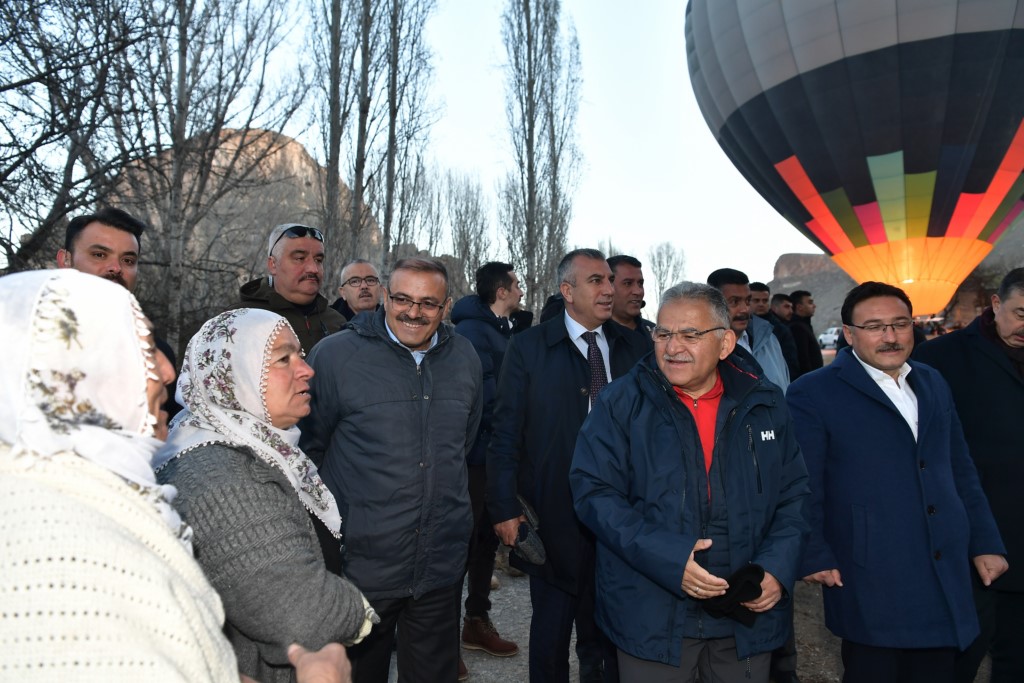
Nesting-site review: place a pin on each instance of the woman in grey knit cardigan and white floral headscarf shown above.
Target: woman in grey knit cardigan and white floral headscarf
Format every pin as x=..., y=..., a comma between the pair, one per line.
x=266, y=526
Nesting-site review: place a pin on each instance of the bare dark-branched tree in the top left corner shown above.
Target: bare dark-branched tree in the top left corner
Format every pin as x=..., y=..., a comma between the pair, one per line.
x=56, y=157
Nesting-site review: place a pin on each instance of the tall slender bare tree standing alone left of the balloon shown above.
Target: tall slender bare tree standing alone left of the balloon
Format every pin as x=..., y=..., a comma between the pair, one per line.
x=543, y=95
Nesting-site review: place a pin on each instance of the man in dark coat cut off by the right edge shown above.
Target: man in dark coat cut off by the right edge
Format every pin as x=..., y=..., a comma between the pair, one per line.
x=985, y=365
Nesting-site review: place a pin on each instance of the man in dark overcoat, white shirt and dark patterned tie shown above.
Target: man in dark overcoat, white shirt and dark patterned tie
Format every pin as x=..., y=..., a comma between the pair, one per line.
x=544, y=395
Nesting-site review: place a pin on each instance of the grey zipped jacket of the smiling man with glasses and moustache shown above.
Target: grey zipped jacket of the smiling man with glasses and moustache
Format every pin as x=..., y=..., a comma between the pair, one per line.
x=391, y=441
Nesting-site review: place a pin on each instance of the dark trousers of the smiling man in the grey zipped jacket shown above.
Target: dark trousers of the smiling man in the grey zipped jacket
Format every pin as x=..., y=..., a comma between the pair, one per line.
x=429, y=639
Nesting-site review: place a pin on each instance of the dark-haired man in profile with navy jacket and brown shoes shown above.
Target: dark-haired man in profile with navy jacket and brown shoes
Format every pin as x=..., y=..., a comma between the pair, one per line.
x=484, y=320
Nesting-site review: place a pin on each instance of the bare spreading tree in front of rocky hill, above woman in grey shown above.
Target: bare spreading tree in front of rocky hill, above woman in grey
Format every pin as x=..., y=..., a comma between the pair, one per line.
x=199, y=99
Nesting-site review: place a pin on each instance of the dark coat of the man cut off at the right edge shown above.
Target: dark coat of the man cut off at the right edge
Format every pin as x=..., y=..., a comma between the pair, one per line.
x=990, y=397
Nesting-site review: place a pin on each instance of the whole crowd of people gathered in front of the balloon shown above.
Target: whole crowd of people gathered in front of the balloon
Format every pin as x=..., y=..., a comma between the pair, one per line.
x=335, y=475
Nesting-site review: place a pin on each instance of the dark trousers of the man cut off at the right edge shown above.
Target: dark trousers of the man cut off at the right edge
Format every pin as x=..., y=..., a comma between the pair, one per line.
x=1002, y=618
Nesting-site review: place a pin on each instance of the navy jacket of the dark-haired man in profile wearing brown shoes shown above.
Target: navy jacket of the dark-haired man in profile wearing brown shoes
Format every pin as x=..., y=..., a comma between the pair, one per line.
x=490, y=336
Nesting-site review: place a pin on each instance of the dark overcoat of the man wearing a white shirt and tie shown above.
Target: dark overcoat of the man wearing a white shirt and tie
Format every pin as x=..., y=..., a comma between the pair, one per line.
x=543, y=399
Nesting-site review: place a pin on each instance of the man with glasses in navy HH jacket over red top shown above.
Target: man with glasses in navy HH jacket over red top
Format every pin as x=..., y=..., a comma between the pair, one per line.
x=689, y=474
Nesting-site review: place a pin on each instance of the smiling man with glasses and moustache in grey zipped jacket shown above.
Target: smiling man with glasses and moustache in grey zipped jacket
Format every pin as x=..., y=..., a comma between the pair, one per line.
x=397, y=402
